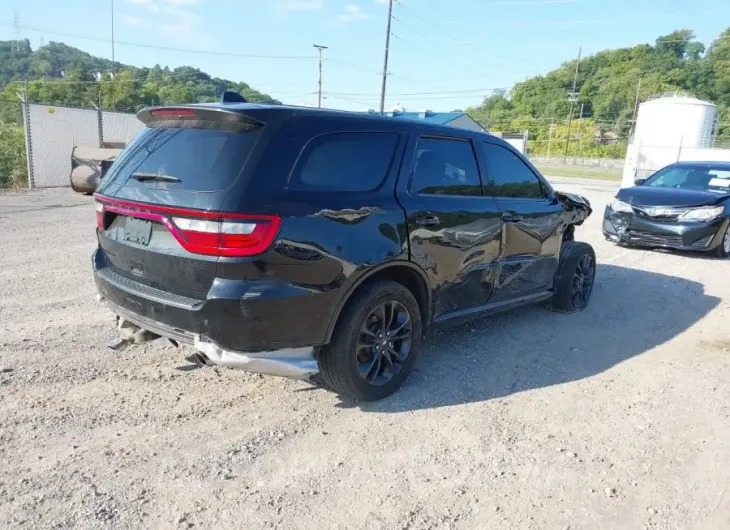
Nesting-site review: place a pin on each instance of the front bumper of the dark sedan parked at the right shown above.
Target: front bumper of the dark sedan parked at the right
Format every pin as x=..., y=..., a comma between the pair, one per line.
x=633, y=230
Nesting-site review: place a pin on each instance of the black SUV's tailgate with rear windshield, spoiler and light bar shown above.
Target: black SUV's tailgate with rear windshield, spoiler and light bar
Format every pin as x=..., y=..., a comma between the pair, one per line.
x=159, y=205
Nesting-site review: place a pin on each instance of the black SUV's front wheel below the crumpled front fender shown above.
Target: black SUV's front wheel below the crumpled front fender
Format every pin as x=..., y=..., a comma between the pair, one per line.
x=573, y=255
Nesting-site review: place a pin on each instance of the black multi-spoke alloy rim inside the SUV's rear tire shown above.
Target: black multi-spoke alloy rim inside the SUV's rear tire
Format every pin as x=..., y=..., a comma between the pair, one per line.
x=384, y=343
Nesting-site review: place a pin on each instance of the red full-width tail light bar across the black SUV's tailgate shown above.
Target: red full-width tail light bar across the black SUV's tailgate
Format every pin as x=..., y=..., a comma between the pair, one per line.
x=208, y=233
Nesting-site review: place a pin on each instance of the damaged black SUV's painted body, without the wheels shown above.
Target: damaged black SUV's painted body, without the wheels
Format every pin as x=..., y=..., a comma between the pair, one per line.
x=462, y=256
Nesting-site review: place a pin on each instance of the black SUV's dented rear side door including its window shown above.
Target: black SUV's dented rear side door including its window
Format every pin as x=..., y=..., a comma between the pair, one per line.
x=454, y=231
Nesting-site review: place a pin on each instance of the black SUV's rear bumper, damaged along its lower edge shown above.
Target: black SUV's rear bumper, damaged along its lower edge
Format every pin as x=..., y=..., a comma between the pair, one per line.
x=236, y=315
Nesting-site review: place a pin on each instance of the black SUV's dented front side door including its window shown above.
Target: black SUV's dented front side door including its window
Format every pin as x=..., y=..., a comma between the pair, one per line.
x=532, y=223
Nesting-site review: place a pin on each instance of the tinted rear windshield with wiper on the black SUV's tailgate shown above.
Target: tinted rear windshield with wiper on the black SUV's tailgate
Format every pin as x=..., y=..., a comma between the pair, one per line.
x=202, y=160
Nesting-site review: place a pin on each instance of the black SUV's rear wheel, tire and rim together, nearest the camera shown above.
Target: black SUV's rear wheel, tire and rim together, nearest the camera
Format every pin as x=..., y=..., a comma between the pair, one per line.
x=355, y=345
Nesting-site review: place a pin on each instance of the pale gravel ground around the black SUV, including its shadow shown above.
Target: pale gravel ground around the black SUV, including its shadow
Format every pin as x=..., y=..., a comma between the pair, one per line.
x=616, y=417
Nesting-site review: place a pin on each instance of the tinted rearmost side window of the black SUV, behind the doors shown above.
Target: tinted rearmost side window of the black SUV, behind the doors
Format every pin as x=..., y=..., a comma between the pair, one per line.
x=345, y=161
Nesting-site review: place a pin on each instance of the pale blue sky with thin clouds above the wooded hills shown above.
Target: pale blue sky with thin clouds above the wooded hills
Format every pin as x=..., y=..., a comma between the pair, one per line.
x=444, y=54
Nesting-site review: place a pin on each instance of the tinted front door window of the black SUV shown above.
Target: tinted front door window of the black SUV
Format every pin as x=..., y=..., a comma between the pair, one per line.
x=508, y=175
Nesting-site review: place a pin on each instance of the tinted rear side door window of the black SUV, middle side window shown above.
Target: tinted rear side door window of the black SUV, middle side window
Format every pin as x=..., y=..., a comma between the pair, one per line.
x=445, y=167
